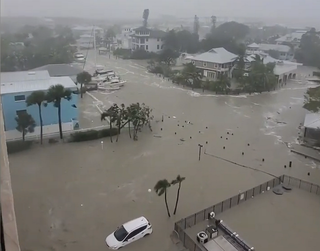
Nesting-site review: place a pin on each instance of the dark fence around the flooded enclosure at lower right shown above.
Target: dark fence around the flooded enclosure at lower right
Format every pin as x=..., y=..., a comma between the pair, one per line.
x=220, y=207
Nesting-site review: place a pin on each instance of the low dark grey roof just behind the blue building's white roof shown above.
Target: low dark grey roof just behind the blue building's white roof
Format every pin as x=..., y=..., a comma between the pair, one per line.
x=61, y=70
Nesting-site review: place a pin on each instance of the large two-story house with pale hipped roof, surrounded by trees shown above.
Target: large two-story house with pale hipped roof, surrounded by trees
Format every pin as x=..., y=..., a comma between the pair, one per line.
x=215, y=63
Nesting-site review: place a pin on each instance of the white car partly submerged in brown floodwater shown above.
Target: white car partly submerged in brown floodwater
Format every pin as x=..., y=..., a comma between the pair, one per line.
x=129, y=232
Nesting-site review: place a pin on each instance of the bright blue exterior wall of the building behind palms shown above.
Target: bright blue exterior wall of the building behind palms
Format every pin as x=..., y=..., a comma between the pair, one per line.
x=49, y=113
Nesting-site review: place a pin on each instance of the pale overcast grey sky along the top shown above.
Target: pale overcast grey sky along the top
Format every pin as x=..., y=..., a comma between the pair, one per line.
x=181, y=8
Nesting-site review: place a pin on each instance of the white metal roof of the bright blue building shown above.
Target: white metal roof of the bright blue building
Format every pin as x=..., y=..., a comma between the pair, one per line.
x=16, y=82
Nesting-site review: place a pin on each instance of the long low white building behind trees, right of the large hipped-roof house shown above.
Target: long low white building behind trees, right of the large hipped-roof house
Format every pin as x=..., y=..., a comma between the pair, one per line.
x=284, y=51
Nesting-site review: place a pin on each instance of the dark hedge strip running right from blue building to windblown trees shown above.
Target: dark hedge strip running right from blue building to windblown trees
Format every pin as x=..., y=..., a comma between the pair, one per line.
x=93, y=134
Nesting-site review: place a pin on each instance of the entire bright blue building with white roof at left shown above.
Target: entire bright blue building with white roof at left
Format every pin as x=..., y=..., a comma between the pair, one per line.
x=17, y=86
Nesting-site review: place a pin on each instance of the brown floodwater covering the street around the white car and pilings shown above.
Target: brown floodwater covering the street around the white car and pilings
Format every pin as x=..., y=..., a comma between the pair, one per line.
x=75, y=194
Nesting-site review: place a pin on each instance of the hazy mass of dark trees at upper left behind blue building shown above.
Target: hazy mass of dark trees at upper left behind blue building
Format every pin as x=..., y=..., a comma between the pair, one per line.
x=33, y=47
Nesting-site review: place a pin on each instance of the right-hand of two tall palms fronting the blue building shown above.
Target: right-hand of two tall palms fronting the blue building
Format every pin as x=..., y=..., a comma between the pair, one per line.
x=54, y=95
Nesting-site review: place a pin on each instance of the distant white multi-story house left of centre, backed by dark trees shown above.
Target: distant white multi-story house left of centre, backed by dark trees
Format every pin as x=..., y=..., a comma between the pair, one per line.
x=148, y=39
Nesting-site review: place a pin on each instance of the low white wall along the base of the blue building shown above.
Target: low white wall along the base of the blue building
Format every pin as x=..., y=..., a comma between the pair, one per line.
x=48, y=131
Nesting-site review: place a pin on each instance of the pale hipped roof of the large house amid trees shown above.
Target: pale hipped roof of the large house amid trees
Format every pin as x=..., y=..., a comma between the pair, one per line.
x=216, y=55
